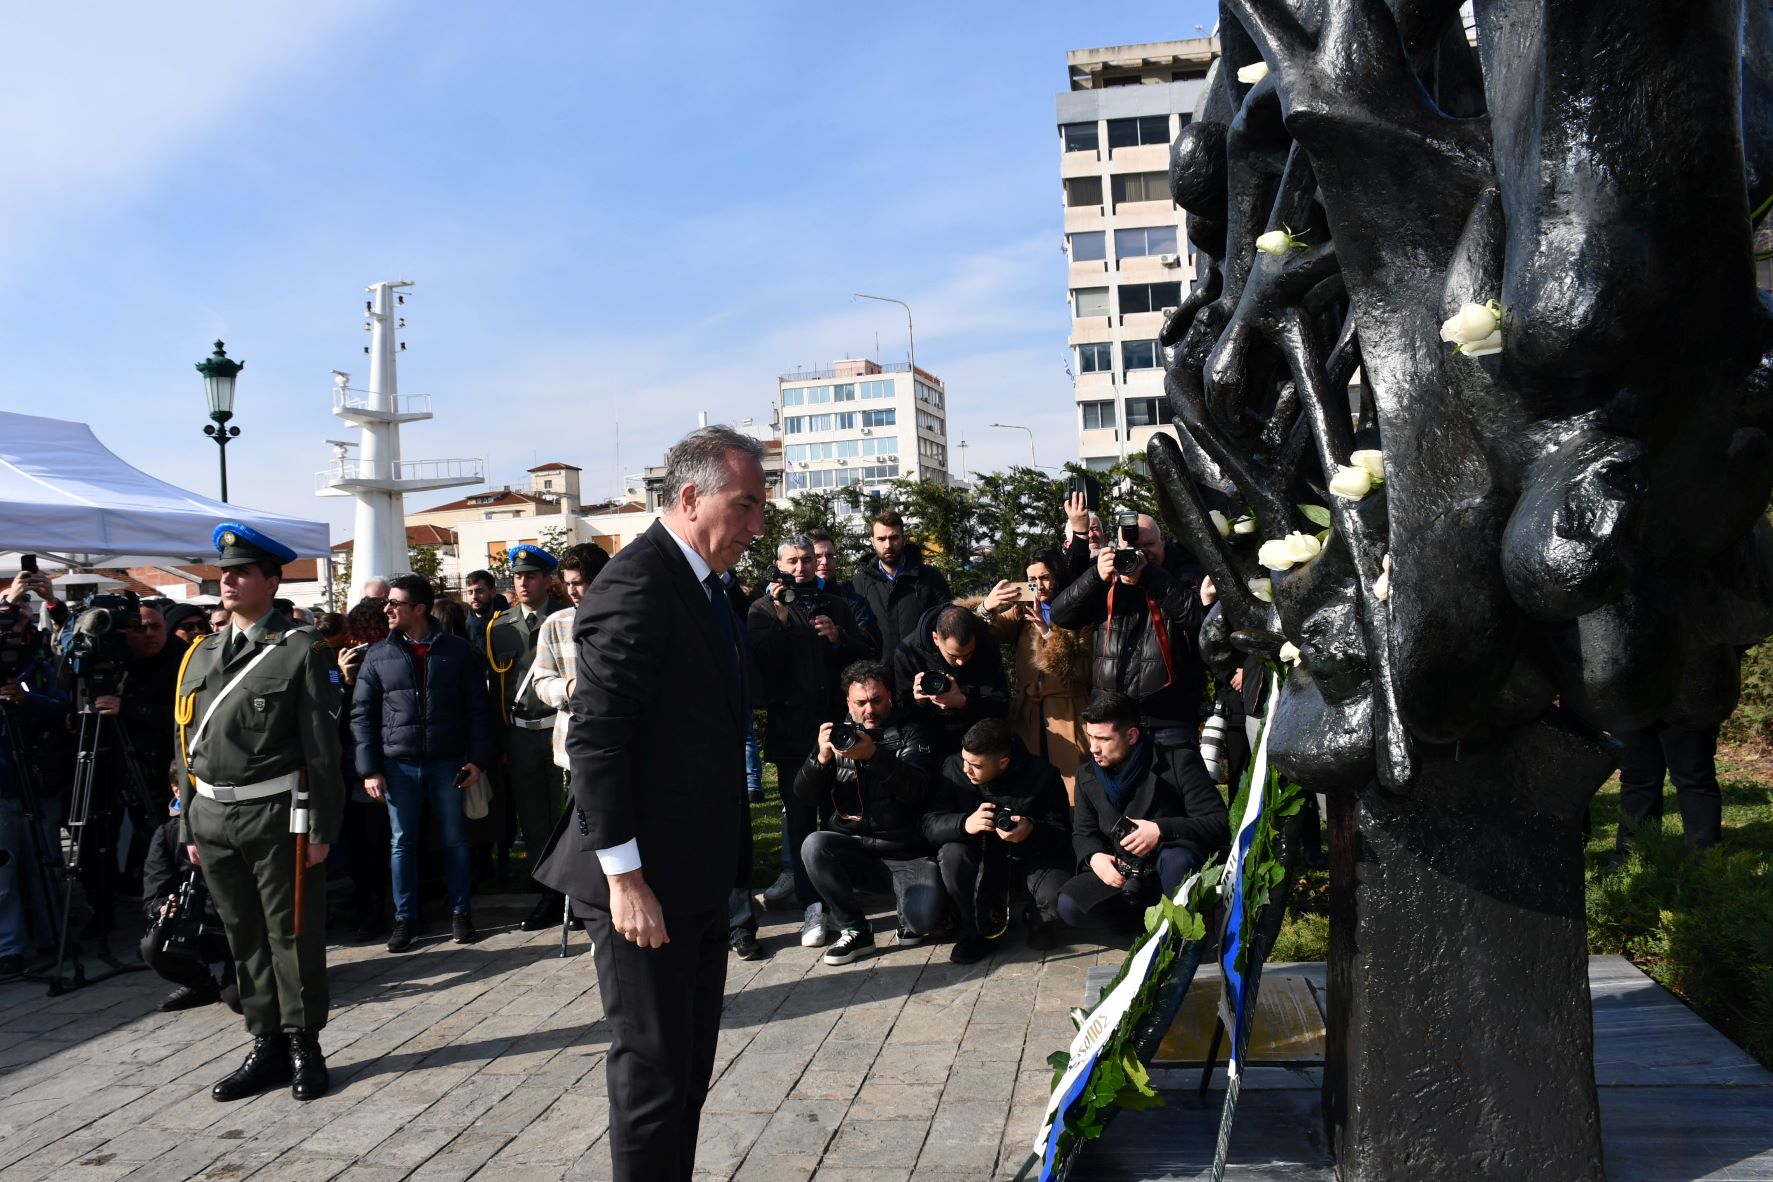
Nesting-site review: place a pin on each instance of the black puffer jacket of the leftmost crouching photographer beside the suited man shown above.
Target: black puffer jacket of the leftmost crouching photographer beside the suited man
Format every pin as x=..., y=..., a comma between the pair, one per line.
x=882, y=800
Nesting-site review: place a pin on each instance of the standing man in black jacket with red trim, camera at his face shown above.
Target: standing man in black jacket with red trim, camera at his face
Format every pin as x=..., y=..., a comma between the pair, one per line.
x=1146, y=625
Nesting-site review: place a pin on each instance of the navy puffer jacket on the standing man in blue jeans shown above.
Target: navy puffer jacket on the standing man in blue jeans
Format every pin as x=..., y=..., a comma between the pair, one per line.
x=448, y=717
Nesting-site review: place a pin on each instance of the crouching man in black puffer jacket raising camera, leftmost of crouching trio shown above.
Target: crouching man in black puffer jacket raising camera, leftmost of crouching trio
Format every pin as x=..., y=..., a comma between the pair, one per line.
x=877, y=782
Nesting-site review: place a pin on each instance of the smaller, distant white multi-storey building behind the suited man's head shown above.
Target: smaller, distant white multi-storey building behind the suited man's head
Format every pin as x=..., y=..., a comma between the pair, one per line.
x=863, y=424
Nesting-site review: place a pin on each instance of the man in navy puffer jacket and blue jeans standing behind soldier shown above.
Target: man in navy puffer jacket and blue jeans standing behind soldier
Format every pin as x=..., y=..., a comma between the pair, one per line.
x=423, y=731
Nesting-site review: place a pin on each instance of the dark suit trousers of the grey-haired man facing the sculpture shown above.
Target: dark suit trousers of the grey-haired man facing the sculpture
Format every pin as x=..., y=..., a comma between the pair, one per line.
x=664, y=1015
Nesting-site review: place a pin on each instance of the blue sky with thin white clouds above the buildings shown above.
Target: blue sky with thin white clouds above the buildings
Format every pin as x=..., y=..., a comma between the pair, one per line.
x=613, y=219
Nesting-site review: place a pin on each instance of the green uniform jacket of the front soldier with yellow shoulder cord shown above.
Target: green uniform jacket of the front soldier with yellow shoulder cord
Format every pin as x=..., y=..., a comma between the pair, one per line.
x=281, y=719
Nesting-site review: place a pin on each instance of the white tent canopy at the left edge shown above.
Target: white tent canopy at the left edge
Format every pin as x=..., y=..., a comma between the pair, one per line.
x=66, y=495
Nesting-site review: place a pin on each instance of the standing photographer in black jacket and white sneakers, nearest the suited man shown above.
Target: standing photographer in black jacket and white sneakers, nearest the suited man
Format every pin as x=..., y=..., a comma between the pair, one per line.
x=802, y=639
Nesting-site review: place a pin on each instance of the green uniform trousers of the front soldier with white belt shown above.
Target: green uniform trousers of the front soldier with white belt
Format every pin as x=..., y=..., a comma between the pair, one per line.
x=249, y=860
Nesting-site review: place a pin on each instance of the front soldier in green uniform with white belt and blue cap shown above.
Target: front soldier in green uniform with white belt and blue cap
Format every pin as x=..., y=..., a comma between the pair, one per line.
x=258, y=740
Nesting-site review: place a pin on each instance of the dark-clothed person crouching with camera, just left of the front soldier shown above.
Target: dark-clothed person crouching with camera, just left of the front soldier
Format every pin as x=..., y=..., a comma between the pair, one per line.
x=185, y=933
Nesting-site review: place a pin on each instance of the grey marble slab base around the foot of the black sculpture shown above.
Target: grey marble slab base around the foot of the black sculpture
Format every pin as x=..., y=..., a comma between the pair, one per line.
x=1678, y=1100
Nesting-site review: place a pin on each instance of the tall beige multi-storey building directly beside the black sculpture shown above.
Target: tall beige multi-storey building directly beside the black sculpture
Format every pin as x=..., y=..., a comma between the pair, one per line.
x=1129, y=256
